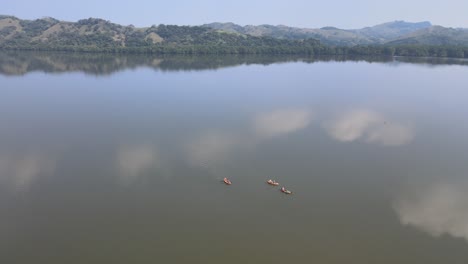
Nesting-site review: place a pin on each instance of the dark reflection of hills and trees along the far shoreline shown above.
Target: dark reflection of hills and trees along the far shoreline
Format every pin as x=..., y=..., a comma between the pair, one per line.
x=23, y=62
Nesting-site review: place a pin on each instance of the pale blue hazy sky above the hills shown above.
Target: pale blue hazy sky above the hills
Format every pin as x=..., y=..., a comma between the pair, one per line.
x=301, y=13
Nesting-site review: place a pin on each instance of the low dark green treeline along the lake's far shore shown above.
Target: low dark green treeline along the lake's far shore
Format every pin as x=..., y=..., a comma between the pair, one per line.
x=296, y=47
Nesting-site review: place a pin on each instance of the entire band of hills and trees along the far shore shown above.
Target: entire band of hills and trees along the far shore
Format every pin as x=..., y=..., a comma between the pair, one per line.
x=97, y=35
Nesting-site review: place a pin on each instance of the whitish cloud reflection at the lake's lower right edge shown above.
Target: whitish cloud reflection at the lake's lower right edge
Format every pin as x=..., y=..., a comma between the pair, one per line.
x=437, y=209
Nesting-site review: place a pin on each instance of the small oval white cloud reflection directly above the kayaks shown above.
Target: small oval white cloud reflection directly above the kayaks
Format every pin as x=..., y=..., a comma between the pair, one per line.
x=281, y=122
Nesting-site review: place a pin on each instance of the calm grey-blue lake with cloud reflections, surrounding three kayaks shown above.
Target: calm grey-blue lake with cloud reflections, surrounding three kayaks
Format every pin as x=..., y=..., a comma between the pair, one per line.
x=120, y=159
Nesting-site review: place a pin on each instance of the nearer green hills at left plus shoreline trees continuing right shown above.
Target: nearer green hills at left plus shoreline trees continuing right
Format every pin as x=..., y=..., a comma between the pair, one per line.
x=97, y=35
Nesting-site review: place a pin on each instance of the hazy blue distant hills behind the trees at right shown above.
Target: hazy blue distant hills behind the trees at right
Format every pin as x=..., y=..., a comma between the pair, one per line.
x=391, y=33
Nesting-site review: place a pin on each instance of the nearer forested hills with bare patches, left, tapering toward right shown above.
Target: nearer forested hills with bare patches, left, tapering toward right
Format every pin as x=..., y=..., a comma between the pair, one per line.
x=99, y=35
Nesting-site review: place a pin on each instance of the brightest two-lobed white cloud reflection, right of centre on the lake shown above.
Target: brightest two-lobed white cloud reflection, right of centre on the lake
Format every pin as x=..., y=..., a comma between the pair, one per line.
x=370, y=127
